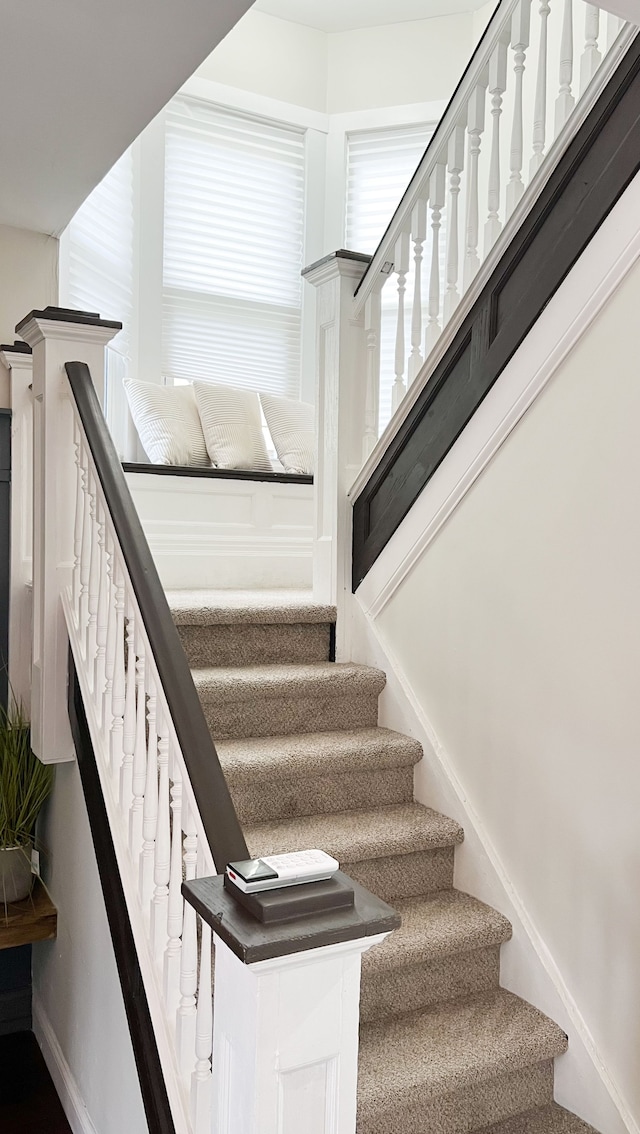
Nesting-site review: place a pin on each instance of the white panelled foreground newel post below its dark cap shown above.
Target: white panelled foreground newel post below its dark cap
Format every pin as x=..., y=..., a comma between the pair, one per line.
x=288, y=1031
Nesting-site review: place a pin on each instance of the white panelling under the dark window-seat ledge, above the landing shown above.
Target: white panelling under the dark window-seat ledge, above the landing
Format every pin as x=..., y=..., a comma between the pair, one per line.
x=206, y=532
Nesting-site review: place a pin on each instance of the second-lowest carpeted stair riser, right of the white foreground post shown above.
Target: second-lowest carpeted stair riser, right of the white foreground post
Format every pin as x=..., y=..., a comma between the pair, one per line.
x=389, y=994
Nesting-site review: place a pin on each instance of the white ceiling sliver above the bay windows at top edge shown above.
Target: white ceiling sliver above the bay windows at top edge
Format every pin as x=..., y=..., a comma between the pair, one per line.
x=347, y=15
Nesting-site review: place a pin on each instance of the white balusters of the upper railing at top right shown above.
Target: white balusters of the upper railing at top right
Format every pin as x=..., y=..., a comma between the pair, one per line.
x=528, y=88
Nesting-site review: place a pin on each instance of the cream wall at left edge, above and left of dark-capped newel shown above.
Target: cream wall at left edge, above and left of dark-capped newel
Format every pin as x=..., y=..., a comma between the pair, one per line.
x=29, y=281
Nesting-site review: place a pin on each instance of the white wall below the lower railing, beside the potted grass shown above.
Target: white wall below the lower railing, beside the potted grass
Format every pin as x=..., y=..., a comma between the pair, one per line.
x=77, y=992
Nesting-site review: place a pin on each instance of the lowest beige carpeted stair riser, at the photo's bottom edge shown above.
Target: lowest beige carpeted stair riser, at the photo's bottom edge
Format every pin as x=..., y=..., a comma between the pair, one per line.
x=466, y=1111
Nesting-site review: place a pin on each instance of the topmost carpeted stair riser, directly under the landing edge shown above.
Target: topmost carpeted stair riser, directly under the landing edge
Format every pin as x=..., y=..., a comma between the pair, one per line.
x=247, y=645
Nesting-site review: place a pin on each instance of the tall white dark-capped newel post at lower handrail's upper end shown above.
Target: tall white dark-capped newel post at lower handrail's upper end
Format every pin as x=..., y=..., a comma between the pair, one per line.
x=56, y=337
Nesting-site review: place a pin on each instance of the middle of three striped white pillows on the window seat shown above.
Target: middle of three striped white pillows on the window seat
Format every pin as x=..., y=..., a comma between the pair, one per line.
x=233, y=427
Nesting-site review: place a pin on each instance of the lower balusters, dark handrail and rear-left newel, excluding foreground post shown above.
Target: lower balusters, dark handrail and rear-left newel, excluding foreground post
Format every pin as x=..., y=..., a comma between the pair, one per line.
x=97, y=590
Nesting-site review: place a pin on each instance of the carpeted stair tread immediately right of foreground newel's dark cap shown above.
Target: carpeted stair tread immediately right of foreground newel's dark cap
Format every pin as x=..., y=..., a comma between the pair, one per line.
x=435, y=926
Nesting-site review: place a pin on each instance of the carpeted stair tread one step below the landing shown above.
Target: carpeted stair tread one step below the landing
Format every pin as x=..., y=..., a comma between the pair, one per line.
x=313, y=680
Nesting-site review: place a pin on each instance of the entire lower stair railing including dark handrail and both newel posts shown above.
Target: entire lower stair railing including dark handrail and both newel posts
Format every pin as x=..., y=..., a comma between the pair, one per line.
x=159, y=808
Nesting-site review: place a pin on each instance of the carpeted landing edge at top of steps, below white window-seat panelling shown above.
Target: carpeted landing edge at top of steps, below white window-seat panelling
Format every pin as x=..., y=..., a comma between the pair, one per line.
x=212, y=608
